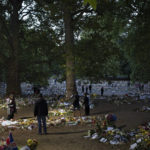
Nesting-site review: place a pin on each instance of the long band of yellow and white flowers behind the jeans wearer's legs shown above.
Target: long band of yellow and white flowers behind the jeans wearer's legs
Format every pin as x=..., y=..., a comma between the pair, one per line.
x=56, y=118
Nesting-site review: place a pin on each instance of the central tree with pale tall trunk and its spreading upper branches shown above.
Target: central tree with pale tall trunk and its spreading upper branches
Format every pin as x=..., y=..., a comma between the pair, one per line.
x=66, y=15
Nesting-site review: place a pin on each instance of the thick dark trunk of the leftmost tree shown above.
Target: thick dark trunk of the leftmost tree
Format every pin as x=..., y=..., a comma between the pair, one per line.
x=13, y=82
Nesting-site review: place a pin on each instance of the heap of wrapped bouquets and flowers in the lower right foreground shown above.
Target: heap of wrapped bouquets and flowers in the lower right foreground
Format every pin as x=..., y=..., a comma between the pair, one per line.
x=106, y=132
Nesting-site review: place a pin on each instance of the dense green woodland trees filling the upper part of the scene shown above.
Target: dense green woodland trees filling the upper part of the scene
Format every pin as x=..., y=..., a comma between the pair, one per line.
x=73, y=39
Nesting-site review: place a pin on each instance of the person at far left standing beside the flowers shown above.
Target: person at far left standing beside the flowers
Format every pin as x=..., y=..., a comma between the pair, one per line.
x=11, y=106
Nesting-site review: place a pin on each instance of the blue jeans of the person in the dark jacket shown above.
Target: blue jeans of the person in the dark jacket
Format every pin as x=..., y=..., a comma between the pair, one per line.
x=42, y=121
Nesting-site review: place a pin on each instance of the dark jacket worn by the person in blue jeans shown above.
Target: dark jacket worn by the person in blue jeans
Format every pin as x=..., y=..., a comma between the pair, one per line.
x=41, y=108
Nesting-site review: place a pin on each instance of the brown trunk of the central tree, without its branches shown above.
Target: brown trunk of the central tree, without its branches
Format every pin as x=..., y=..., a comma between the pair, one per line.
x=70, y=60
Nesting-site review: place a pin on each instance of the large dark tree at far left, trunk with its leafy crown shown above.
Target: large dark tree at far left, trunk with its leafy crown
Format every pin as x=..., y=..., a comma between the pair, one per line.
x=27, y=48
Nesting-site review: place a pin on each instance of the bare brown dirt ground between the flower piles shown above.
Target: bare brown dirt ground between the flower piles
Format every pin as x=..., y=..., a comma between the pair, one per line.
x=71, y=137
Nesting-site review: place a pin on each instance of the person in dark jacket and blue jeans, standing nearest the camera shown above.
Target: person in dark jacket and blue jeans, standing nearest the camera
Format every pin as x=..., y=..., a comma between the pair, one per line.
x=41, y=111
